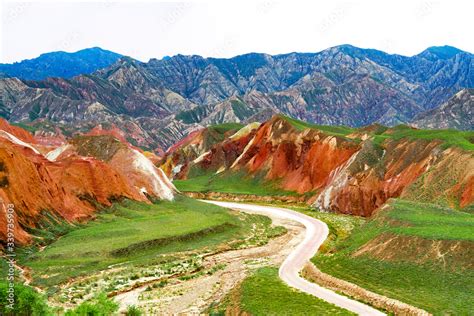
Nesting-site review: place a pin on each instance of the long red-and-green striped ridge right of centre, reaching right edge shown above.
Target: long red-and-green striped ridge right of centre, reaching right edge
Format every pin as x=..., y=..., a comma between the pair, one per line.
x=351, y=171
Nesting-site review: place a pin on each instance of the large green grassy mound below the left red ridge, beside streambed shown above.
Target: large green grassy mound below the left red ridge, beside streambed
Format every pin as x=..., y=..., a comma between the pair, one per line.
x=135, y=233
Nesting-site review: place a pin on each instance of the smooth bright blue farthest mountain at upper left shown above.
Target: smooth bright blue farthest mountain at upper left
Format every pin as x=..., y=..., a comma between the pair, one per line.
x=60, y=64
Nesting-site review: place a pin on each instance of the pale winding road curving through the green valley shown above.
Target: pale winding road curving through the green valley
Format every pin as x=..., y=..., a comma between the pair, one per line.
x=316, y=232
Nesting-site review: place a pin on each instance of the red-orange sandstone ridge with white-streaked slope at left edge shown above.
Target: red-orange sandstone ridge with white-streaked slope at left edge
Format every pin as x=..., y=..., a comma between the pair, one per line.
x=71, y=180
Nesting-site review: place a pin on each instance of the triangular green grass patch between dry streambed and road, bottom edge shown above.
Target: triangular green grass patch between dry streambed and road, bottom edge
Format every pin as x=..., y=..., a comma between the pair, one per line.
x=263, y=293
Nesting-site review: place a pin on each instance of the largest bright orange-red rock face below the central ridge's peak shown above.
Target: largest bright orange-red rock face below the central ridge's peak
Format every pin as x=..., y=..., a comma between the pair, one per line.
x=302, y=161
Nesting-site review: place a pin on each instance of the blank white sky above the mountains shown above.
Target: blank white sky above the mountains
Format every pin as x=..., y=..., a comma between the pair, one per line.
x=153, y=29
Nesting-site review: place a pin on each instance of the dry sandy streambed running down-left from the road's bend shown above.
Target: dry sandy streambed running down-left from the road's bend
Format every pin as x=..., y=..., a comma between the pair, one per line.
x=194, y=296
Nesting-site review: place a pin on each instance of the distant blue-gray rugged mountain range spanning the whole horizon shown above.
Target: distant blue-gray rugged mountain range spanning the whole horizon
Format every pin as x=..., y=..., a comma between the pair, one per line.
x=154, y=104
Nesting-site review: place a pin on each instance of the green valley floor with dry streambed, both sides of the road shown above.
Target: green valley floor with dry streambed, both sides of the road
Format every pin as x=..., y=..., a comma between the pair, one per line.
x=189, y=256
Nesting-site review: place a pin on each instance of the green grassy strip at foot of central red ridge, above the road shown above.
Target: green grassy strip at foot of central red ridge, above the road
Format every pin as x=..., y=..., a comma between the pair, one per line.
x=230, y=182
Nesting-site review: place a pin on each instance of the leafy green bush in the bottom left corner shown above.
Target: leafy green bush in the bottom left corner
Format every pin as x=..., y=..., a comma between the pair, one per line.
x=26, y=301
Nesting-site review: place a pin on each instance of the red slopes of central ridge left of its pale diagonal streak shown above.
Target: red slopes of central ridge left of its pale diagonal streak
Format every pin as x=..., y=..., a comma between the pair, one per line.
x=301, y=161
